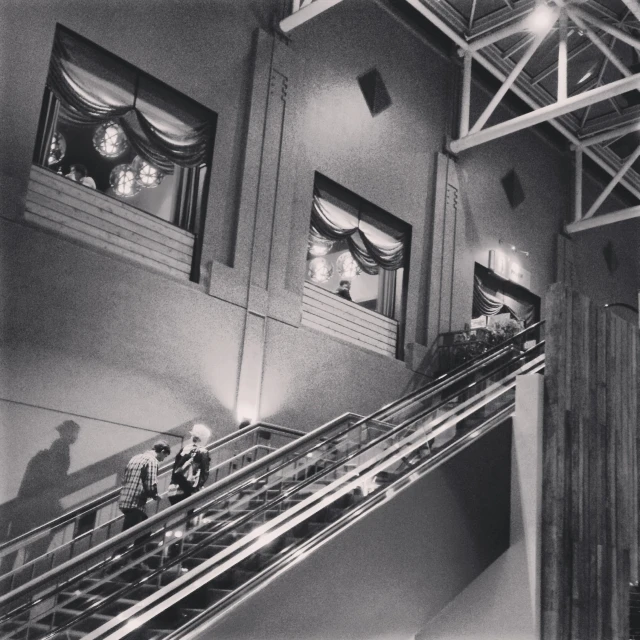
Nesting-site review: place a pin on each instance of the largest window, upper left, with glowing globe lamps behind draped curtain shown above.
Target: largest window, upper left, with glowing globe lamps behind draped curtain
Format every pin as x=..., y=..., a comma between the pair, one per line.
x=110, y=127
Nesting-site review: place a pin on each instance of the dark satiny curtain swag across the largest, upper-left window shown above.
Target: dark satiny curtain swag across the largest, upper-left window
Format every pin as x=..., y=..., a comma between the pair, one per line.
x=161, y=141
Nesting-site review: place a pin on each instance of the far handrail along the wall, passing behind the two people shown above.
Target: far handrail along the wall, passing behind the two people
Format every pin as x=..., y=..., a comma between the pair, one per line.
x=113, y=493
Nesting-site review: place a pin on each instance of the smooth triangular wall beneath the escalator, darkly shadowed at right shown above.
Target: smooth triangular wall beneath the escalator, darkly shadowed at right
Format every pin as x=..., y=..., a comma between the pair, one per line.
x=386, y=575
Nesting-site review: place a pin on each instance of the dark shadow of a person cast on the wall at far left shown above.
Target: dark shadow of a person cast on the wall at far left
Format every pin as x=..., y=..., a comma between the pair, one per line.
x=42, y=487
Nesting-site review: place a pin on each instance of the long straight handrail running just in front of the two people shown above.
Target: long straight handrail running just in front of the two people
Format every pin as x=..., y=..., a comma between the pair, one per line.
x=189, y=503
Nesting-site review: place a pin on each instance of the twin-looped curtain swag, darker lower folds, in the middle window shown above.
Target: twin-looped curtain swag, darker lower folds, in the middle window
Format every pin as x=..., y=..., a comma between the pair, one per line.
x=369, y=255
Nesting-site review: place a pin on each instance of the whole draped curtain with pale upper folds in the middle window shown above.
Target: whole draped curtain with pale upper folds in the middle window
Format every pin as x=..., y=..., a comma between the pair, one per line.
x=370, y=248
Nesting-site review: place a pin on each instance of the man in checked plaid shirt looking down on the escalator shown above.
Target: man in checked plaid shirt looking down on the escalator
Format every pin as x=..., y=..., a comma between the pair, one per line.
x=141, y=483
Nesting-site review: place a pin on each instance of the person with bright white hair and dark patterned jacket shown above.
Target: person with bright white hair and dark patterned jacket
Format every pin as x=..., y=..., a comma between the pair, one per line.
x=191, y=466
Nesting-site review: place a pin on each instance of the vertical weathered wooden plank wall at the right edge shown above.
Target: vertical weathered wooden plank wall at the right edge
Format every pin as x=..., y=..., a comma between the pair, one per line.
x=590, y=473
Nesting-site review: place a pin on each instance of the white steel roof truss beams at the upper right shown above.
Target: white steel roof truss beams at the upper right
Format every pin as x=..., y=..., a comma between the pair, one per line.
x=477, y=37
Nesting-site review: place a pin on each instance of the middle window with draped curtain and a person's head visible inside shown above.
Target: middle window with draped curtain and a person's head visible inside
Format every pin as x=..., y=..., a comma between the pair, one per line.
x=356, y=250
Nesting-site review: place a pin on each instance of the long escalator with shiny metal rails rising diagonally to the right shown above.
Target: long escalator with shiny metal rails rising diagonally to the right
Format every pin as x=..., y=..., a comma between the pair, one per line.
x=179, y=571
